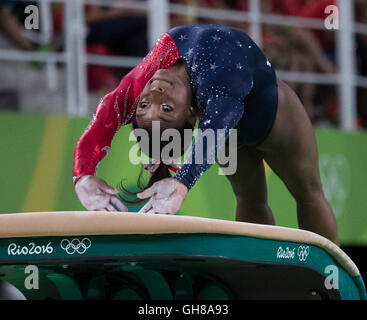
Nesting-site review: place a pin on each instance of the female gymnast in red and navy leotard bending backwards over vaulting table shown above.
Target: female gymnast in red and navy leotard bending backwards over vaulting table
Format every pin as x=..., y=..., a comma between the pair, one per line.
x=218, y=75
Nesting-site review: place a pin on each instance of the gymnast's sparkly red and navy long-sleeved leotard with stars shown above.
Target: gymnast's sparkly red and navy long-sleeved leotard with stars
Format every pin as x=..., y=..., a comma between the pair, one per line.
x=231, y=80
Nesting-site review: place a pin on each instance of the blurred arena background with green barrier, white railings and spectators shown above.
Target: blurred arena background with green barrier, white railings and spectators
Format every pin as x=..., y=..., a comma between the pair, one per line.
x=52, y=78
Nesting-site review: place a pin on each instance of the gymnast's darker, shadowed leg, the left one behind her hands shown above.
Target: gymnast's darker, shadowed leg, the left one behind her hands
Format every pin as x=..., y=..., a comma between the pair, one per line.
x=249, y=187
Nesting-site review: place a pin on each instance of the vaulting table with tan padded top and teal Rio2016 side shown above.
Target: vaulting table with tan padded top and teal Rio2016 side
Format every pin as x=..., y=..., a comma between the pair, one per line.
x=104, y=255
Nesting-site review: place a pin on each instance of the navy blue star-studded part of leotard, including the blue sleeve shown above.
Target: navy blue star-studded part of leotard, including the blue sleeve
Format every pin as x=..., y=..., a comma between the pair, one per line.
x=232, y=83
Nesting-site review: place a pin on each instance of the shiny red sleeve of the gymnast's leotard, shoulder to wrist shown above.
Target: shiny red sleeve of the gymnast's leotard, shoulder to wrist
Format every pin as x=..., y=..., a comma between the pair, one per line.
x=118, y=108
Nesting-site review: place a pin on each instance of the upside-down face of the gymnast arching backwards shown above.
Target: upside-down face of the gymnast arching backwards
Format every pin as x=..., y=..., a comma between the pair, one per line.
x=166, y=98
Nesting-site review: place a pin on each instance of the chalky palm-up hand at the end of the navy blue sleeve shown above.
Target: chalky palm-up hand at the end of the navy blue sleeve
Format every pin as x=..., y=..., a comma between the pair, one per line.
x=167, y=196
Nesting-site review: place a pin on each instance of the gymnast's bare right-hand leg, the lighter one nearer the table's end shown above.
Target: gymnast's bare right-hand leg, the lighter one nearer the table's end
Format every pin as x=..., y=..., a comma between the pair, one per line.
x=291, y=152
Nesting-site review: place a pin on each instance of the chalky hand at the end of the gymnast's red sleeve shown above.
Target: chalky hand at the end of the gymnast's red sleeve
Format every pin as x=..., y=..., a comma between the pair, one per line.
x=95, y=194
